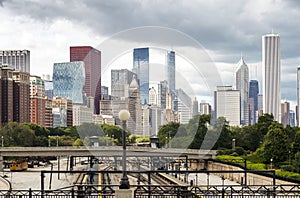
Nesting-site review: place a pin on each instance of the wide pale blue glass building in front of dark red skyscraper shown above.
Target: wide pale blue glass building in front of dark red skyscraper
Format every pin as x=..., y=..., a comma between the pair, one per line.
x=68, y=81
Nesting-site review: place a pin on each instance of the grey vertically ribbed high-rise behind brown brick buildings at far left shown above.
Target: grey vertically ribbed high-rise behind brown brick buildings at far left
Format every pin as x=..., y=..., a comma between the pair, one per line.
x=19, y=59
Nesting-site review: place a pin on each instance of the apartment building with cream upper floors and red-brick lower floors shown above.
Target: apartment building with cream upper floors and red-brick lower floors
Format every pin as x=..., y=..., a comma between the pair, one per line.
x=37, y=100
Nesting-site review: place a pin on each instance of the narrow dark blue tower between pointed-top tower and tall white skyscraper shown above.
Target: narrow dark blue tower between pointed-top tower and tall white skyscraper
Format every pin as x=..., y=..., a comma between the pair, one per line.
x=253, y=97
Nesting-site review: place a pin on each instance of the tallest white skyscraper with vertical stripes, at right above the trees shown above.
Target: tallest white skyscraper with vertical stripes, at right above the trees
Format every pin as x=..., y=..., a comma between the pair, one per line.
x=271, y=74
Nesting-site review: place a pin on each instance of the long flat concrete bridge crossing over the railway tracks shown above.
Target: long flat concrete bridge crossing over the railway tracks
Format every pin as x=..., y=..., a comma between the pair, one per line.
x=106, y=151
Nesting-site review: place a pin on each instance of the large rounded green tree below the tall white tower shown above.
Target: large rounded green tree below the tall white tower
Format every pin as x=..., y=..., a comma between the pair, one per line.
x=275, y=145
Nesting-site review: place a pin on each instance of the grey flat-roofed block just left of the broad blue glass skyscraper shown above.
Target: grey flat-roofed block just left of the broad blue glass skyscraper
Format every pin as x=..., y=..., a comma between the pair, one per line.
x=120, y=81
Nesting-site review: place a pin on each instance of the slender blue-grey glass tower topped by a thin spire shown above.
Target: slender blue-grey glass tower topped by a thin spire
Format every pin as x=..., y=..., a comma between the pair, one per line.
x=171, y=71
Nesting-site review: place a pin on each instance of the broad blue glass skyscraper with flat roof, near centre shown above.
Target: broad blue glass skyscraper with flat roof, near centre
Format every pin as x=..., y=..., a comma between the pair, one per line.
x=141, y=68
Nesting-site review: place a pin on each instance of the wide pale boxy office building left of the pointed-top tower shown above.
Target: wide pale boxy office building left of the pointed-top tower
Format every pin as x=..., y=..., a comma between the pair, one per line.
x=228, y=104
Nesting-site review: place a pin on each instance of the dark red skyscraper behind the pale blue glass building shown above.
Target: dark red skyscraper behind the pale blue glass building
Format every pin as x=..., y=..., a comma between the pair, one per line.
x=92, y=64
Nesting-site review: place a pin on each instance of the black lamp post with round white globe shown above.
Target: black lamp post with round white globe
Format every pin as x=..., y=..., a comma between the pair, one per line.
x=124, y=116
